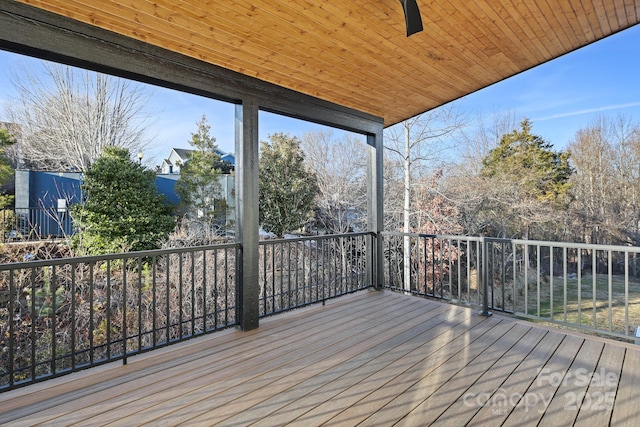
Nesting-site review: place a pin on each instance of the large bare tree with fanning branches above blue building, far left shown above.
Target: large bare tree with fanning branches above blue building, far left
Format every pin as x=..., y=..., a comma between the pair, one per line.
x=67, y=116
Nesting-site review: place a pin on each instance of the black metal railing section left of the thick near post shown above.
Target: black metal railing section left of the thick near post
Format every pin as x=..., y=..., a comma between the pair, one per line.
x=59, y=316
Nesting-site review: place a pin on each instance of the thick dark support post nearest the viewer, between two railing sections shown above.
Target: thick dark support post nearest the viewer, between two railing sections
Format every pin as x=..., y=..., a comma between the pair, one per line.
x=248, y=288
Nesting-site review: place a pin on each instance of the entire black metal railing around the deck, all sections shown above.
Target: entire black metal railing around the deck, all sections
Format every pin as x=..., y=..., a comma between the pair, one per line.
x=59, y=316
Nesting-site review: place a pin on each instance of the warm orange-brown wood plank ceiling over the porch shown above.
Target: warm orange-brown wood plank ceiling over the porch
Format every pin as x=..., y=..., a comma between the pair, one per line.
x=356, y=53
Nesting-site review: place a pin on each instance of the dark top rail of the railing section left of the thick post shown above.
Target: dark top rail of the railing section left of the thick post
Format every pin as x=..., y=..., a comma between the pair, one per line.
x=123, y=255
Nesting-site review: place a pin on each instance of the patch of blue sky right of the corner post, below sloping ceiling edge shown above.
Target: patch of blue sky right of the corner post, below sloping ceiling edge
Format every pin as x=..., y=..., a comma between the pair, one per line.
x=566, y=94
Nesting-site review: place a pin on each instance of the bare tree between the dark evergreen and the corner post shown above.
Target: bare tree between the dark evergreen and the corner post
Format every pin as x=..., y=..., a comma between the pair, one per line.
x=340, y=166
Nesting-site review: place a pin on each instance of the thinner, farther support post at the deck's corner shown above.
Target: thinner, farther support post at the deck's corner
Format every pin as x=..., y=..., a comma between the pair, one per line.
x=375, y=206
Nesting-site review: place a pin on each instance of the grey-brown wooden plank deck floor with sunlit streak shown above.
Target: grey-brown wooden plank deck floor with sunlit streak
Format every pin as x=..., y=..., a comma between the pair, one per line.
x=373, y=358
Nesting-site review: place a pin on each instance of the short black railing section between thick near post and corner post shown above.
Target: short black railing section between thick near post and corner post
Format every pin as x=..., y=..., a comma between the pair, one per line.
x=301, y=271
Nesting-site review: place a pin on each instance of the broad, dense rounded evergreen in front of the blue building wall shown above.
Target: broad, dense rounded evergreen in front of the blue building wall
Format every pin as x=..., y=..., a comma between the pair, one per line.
x=123, y=210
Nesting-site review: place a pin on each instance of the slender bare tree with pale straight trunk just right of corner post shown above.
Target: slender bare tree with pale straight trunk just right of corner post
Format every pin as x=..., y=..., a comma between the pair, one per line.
x=421, y=142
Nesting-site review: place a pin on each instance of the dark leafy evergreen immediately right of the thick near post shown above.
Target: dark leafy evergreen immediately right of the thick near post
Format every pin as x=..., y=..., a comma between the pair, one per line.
x=287, y=188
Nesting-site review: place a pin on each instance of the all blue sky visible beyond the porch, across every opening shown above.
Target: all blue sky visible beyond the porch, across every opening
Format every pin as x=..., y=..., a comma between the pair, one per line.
x=560, y=97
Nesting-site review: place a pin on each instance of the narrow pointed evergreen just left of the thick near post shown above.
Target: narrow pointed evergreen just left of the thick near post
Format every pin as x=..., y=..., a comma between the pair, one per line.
x=199, y=184
